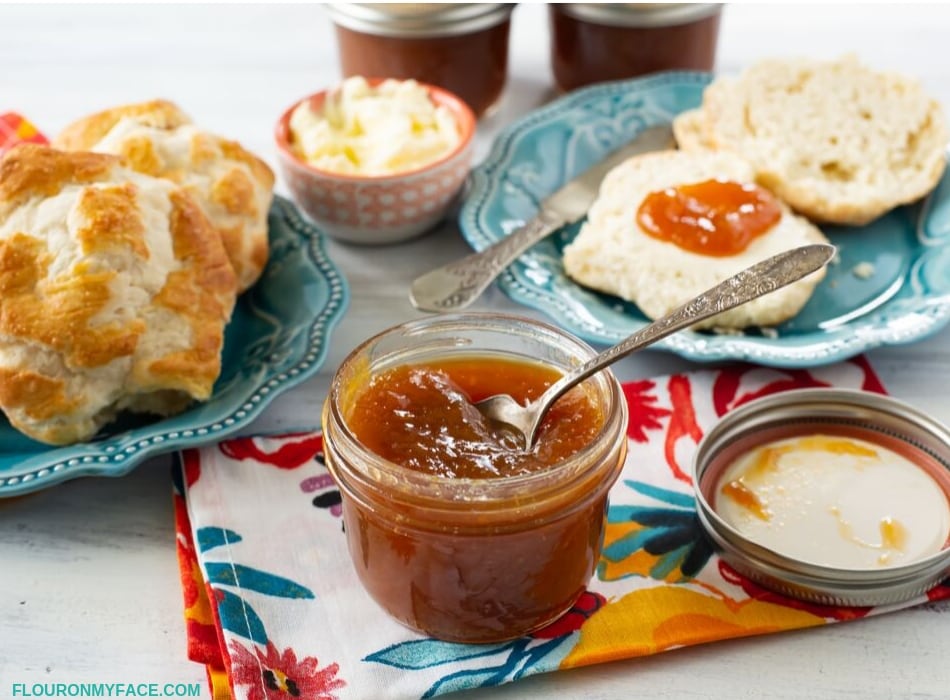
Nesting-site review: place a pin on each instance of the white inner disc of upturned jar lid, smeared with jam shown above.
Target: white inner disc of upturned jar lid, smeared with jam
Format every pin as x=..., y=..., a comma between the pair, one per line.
x=836, y=501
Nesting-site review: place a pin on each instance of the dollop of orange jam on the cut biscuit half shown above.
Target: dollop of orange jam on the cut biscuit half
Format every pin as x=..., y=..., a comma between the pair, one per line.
x=714, y=217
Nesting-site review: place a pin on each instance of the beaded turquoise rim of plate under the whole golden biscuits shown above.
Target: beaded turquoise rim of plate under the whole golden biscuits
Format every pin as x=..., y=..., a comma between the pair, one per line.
x=117, y=455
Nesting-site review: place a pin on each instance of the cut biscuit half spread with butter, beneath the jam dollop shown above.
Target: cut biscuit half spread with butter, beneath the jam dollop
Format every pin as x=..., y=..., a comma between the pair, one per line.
x=612, y=254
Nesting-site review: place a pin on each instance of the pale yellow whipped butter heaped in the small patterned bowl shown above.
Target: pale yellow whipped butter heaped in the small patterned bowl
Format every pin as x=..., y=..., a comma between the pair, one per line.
x=374, y=130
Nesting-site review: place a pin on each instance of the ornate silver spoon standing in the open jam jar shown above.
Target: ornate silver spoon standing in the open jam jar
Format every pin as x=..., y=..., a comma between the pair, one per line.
x=751, y=283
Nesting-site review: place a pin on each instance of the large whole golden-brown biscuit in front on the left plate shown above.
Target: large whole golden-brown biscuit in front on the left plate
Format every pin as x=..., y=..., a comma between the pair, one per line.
x=114, y=294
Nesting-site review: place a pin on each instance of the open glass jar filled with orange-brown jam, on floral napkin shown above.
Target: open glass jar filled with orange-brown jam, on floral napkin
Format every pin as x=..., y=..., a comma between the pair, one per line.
x=454, y=533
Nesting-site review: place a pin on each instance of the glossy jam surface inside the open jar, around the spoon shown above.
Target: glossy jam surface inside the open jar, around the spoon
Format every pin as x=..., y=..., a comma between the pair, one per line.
x=421, y=417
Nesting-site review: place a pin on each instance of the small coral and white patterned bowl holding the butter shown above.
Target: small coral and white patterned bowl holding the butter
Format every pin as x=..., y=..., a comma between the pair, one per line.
x=378, y=209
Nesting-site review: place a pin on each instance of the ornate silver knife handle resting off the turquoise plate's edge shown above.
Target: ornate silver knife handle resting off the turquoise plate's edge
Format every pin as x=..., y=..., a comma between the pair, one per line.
x=459, y=283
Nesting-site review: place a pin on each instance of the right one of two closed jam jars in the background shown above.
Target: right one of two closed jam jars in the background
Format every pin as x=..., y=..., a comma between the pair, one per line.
x=596, y=42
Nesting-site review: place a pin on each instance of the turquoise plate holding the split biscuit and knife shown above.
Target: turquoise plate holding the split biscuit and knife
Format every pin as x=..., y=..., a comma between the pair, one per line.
x=906, y=298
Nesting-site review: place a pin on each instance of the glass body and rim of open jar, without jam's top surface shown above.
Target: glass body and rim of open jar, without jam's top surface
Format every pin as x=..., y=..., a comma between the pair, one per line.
x=473, y=560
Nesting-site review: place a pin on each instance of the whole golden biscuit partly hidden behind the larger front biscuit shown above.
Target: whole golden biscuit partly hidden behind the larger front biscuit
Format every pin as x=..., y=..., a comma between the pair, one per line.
x=233, y=186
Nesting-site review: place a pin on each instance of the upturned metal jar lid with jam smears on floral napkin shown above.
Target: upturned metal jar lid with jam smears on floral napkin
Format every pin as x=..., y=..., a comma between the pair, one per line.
x=836, y=497
